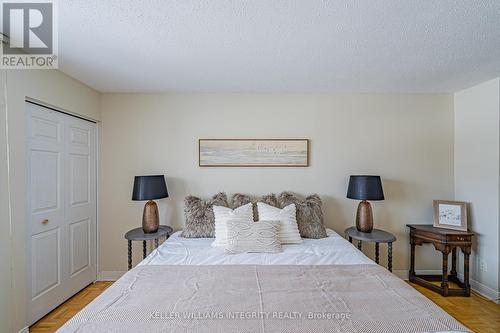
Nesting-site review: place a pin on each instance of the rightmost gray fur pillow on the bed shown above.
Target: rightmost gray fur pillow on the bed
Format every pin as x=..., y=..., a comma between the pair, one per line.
x=309, y=214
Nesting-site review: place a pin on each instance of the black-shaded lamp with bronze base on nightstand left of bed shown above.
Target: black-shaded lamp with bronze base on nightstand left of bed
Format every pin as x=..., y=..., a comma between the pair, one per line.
x=150, y=188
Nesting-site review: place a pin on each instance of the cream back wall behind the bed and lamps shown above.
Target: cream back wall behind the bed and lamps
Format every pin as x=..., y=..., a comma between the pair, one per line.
x=407, y=139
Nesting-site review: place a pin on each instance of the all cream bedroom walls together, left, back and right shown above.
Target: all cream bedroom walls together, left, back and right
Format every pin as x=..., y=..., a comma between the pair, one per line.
x=407, y=139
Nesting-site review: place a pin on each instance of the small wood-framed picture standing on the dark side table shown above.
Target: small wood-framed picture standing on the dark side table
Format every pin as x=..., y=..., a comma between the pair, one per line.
x=450, y=215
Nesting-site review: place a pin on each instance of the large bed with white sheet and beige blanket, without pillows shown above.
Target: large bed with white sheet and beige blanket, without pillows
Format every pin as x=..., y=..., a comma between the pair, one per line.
x=323, y=285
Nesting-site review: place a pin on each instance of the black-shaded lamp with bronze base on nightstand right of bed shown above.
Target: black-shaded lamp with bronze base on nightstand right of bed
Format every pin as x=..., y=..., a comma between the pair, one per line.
x=365, y=188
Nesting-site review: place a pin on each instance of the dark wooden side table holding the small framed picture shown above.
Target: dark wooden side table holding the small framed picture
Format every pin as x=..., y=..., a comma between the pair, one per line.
x=445, y=241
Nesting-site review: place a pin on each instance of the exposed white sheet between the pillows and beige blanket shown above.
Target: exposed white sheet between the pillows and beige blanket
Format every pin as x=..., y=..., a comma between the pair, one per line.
x=333, y=250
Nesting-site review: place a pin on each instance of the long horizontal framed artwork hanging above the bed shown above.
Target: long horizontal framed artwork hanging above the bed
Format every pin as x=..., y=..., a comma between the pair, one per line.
x=253, y=152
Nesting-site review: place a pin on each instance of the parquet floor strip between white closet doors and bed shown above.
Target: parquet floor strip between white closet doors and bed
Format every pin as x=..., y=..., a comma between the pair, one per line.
x=55, y=319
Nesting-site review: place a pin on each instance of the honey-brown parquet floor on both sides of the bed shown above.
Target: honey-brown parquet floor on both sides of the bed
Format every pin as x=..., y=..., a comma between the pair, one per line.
x=475, y=312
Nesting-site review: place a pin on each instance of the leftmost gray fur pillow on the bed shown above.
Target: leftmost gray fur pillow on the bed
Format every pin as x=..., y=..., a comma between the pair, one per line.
x=200, y=220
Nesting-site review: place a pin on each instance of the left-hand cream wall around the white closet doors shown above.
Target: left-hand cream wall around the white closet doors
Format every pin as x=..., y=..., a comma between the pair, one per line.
x=57, y=89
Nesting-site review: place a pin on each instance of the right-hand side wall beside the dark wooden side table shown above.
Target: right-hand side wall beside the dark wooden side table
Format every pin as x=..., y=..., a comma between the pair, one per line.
x=477, y=173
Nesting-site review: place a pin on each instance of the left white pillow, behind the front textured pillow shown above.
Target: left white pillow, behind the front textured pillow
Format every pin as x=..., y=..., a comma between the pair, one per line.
x=224, y=214
